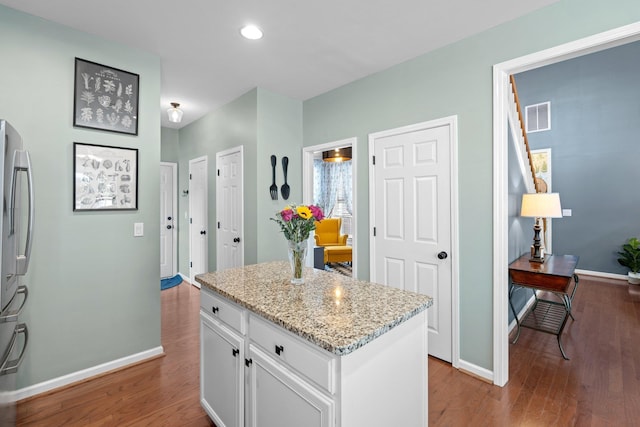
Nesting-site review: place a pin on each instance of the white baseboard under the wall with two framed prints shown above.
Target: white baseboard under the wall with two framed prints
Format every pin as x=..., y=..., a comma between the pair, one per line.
x=84, y=374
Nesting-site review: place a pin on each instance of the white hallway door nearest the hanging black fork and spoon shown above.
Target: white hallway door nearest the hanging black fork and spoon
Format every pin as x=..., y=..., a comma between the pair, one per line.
x=229, y=209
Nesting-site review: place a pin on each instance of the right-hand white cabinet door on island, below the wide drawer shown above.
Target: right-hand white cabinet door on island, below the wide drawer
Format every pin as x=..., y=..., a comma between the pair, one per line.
x=279, y=398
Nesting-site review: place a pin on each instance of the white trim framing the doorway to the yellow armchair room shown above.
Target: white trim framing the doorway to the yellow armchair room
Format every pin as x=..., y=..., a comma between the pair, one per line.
x=307, y=184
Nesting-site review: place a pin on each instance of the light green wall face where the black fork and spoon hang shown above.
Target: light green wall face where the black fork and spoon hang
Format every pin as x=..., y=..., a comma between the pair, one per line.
x=279, y=133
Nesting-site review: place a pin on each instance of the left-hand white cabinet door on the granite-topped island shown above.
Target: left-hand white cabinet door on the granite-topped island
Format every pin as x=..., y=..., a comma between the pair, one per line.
x=221, y=373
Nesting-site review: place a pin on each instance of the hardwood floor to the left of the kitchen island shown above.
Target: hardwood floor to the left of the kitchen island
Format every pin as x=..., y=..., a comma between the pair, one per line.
x=161, y=392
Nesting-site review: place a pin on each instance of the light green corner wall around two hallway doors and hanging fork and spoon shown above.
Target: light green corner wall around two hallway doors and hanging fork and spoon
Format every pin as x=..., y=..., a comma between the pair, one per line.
x=264, y=123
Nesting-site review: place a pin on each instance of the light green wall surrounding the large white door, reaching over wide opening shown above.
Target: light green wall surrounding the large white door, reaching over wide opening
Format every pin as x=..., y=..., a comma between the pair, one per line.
x=457, y=80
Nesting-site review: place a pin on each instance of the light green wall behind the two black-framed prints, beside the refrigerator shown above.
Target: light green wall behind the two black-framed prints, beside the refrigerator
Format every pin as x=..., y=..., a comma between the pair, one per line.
x=93, y=288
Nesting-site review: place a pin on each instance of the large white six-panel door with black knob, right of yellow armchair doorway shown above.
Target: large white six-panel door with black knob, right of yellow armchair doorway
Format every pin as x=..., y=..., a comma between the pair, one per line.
x=411, y=214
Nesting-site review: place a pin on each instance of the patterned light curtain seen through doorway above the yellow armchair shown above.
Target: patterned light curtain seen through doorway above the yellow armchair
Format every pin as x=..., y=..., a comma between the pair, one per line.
x=332, y=184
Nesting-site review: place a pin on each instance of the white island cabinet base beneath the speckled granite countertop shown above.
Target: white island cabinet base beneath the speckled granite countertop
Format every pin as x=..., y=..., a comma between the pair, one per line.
x=255, y=373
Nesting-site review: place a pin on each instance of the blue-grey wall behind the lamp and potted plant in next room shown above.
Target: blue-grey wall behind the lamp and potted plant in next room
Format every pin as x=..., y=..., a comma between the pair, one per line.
x=595, y=142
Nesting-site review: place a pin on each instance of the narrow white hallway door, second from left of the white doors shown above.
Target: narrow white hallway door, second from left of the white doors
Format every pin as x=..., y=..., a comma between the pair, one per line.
x=198, y=218
